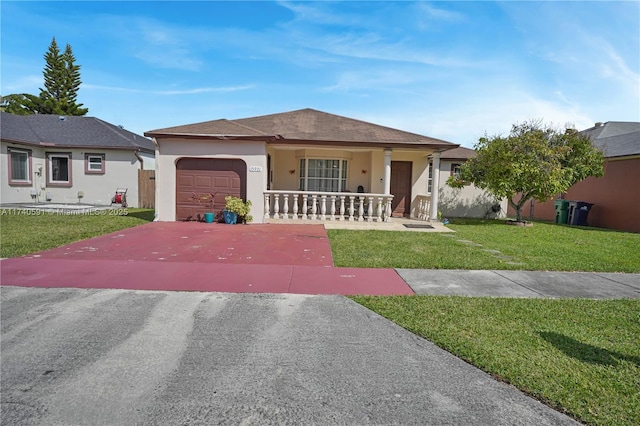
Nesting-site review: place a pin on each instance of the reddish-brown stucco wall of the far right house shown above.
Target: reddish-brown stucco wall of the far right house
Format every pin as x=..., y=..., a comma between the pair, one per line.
x=615, y=197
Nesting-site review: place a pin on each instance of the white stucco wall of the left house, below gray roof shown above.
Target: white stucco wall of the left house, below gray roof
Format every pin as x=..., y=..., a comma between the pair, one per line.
x=121, y=170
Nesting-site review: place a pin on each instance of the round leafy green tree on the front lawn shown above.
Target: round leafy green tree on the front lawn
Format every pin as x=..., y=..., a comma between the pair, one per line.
x=534, y=161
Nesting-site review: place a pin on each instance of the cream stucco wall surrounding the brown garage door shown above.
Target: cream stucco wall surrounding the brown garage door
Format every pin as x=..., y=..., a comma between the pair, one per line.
x=253, y=153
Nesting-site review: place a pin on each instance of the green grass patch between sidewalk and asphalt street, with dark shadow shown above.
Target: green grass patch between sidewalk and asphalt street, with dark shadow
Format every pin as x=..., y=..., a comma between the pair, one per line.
x=578, y=356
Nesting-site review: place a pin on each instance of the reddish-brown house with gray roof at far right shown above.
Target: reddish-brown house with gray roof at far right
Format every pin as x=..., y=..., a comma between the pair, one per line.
x=616, y=195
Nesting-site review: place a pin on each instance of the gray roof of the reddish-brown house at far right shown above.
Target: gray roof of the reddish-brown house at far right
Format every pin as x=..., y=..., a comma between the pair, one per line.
x=616, y=138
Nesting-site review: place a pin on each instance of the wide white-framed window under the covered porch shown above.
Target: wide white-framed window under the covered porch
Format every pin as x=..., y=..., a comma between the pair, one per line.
x=323, y=175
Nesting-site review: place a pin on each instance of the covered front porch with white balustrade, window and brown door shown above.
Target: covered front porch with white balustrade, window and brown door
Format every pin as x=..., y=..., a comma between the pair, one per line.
x=376, y=185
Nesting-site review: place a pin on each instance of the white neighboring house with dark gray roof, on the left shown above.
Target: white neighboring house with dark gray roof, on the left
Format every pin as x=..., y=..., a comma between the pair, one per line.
x=59, y=159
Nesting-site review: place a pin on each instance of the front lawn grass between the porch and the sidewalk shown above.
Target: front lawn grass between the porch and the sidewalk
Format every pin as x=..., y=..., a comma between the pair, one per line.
x=543, y=247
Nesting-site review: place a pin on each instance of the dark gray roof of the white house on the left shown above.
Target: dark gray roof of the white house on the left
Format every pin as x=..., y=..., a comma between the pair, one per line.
x=69, y=132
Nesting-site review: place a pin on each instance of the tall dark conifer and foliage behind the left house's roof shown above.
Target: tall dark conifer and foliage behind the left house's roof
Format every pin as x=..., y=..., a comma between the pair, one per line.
x=61, y=84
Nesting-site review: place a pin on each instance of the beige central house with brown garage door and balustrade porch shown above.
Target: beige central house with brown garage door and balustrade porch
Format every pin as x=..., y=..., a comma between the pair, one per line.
x=304, y=164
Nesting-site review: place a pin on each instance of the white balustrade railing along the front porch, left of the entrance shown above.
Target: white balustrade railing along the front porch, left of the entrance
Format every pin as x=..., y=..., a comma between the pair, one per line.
x=308, y=205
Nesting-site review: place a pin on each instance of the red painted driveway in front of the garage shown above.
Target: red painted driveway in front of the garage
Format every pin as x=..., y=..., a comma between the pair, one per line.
x=259, y=258
